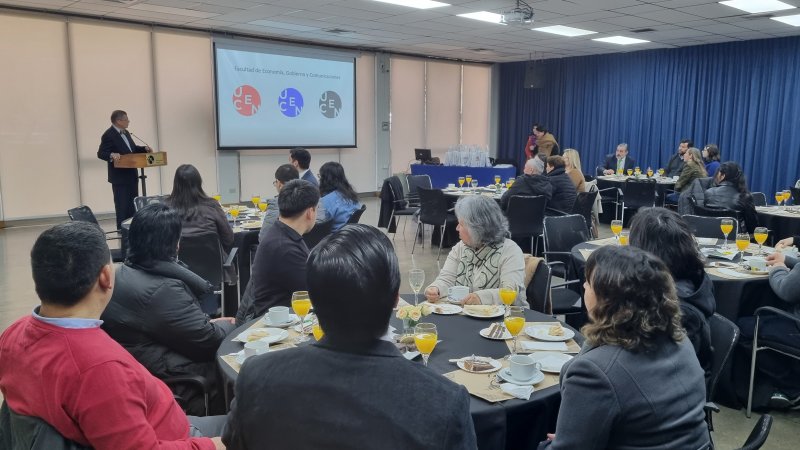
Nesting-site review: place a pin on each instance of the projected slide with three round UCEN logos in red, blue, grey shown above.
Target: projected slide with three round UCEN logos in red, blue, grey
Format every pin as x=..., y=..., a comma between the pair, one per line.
x=275, y=98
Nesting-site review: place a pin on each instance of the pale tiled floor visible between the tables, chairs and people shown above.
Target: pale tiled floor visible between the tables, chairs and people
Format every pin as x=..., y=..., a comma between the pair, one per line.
x=17, y=298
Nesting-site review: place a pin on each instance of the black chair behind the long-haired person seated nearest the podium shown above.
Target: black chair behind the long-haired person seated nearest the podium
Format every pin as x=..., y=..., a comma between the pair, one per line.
x=203, y=254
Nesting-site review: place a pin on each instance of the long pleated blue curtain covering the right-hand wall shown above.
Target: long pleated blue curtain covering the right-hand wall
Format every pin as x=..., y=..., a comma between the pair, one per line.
x=743, y=96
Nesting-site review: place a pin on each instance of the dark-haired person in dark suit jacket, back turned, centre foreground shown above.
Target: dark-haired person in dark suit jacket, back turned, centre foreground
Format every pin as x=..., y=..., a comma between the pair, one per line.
x=352, y=389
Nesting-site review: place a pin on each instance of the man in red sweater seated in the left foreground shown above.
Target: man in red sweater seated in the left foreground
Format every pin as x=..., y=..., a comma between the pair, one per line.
x=57, y=365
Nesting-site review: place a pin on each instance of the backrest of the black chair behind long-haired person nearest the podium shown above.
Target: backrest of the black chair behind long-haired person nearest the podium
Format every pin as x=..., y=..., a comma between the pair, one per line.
x=203, y=254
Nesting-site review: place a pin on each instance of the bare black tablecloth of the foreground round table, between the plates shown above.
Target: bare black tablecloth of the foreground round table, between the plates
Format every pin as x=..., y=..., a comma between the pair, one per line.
x=512, y=424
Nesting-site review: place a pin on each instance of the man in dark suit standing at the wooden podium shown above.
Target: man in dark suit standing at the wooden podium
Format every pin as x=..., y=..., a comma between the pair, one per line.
x=115, y=142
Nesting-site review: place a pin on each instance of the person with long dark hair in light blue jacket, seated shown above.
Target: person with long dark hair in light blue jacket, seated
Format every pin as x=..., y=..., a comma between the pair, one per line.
x=338, y=197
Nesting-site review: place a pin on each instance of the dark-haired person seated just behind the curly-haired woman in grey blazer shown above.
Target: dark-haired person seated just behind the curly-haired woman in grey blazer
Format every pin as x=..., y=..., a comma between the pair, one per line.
x=665, y=234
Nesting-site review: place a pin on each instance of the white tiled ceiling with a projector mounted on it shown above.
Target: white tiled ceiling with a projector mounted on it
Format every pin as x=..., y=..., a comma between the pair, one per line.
x=367, y=24
